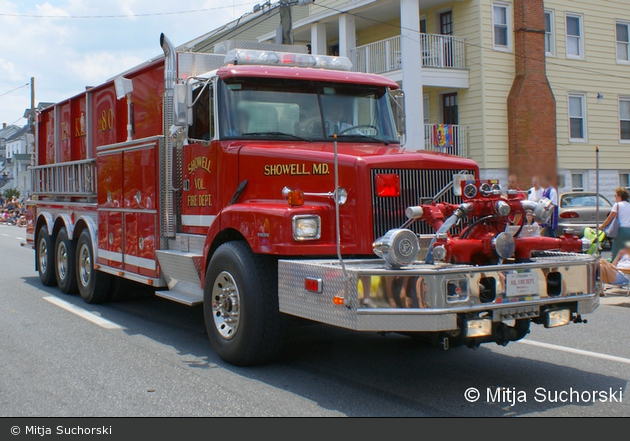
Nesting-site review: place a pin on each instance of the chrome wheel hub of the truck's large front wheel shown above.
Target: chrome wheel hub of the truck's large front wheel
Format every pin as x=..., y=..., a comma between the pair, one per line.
x=226, y=305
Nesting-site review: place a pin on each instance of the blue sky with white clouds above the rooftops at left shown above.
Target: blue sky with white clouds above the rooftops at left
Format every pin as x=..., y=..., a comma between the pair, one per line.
x=67, y=54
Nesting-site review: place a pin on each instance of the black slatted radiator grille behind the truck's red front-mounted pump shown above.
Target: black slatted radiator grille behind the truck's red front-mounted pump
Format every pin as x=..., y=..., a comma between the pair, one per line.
x=416, y=187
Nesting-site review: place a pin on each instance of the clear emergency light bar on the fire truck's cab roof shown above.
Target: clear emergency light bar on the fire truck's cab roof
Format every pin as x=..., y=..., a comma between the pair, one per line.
x=271, y=58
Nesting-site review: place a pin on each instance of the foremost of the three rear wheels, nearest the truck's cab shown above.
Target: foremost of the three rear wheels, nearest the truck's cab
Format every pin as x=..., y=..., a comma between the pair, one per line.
x=93, y=284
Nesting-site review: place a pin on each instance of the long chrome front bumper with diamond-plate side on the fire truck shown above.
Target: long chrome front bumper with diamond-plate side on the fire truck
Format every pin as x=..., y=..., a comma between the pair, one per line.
x=430, y=298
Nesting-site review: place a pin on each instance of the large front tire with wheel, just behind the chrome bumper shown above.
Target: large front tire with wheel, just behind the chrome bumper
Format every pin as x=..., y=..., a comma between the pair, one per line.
x=240, y=304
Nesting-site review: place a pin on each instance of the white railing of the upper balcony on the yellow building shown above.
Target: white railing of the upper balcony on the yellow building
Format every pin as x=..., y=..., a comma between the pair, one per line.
x=438, y=51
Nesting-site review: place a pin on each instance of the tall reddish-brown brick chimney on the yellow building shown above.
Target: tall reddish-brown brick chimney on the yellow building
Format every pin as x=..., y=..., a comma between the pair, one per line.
x=531, y=104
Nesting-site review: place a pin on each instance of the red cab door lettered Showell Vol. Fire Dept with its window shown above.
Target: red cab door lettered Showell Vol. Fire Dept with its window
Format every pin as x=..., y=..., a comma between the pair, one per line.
x=199, y=177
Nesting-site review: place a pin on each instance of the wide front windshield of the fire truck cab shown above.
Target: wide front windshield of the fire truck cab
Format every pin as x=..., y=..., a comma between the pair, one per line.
x=271, y=108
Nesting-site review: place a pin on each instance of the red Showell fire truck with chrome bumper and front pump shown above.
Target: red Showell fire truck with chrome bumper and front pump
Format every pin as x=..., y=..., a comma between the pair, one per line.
x=265, y=184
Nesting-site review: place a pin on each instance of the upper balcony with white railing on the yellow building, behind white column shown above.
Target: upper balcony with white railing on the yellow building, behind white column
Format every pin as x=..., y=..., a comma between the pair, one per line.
x=443, y=59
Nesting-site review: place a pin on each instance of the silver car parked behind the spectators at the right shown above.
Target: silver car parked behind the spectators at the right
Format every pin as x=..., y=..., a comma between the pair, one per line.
x=577, y=211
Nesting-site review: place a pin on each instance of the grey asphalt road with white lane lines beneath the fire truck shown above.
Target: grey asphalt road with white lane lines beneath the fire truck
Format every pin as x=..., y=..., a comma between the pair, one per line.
x=151, y=357
